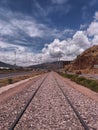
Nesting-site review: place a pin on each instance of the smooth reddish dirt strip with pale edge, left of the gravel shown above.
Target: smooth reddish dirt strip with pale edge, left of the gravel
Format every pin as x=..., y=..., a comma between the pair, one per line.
x=10, y=90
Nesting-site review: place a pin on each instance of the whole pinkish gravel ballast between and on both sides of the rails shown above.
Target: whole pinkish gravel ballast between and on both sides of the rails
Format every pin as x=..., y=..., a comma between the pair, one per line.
x=49, y=110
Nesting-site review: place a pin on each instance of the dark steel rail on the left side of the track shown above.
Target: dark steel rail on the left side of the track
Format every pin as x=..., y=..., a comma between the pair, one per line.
x=25, y=107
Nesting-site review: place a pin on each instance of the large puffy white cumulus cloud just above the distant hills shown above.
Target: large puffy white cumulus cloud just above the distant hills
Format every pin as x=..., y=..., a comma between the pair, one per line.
x=67, y=48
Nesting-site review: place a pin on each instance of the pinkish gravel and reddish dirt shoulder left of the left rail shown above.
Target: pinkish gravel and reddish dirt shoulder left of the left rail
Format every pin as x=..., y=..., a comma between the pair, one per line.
x=14, y=100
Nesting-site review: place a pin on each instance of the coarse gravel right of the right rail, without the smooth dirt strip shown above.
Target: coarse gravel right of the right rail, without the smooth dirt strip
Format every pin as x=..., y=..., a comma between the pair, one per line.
x=87, y=107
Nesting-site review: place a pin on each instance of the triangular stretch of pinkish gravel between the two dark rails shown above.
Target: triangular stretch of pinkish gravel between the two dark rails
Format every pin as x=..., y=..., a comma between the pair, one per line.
x=49, y=110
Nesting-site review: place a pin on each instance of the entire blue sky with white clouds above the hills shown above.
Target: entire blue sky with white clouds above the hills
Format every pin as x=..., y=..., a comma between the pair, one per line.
x=37, y=31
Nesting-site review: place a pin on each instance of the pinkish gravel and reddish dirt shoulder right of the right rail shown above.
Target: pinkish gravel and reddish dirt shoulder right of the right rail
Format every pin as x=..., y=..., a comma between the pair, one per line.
x=83, y=99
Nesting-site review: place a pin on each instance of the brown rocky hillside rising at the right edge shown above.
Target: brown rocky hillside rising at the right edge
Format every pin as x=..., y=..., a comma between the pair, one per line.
x=87, y=60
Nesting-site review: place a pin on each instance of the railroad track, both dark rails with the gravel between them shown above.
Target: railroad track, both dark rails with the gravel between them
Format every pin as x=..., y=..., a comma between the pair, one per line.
x=48, y=97
